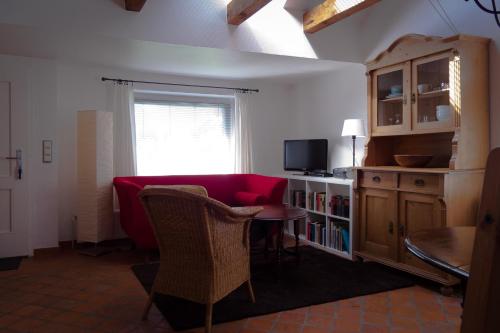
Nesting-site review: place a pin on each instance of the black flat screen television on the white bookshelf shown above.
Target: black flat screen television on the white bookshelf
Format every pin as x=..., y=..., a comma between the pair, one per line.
x=306, y=155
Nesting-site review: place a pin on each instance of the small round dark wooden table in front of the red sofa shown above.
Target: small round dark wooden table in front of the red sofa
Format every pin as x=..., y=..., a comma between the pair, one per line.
x=279, y=214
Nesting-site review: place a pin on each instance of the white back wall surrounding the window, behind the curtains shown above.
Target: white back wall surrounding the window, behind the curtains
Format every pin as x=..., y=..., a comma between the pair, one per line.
x=80, y=87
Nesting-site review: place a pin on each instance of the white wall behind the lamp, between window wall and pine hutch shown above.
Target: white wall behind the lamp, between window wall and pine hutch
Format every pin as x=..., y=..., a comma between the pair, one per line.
x=321, y=104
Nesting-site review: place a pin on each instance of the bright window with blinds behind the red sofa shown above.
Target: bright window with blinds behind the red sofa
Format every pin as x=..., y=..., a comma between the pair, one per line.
x=181, y=138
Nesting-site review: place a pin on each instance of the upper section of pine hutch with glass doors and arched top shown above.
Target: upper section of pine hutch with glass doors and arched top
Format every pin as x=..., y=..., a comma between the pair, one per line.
x=429, y=96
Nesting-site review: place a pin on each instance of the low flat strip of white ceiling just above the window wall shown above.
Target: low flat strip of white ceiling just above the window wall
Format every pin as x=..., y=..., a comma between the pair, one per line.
x=155, y=57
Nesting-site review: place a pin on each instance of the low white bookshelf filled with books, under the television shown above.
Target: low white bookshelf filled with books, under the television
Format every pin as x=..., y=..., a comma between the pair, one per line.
x=331, y=187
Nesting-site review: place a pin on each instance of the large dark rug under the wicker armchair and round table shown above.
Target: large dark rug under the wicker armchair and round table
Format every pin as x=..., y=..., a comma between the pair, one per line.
x=318, y=278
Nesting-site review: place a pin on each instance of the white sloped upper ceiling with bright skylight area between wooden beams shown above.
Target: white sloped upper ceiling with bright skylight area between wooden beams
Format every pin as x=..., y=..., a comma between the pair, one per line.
x=167, y=34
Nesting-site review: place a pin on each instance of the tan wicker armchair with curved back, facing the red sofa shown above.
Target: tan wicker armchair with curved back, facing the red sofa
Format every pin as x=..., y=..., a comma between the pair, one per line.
x=204, y=245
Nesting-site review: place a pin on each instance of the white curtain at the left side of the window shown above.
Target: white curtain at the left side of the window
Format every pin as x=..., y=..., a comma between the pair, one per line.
x=120, y=101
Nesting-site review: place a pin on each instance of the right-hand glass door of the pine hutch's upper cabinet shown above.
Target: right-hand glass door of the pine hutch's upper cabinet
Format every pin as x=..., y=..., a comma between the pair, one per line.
x=431, y=93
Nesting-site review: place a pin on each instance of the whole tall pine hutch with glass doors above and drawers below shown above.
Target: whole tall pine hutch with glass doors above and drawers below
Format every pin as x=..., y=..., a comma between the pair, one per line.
x=426, y=96
